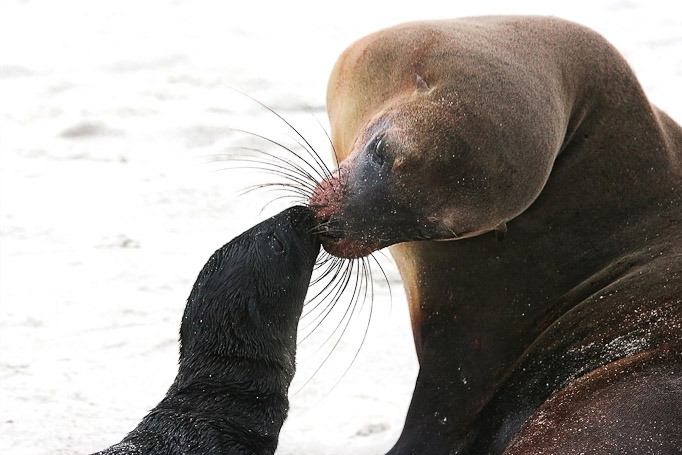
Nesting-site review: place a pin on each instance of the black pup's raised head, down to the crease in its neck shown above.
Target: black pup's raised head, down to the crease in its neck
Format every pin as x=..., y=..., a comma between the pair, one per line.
x=255, y=286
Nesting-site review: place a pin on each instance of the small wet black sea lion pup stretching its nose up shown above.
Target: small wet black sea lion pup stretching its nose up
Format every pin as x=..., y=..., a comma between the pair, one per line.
x=237, y=346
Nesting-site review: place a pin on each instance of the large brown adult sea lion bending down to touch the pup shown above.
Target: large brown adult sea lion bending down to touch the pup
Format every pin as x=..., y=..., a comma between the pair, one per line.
x=556, y=308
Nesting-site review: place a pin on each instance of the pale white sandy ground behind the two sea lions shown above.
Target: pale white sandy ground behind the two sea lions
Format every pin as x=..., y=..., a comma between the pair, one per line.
x=111, y=114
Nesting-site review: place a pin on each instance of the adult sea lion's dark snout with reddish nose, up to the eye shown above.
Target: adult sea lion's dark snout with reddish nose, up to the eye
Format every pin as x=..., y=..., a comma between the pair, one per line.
x=361, y=208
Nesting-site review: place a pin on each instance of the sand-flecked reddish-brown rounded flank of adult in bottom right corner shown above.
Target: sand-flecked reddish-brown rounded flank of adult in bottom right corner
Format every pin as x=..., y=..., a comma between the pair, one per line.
x=625, y=408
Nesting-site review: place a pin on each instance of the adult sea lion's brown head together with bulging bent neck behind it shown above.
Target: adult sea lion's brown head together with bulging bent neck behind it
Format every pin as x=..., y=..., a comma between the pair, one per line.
x=437, y=138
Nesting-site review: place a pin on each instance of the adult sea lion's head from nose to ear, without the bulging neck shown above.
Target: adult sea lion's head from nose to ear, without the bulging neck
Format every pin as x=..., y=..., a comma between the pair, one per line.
x=417, y=170
